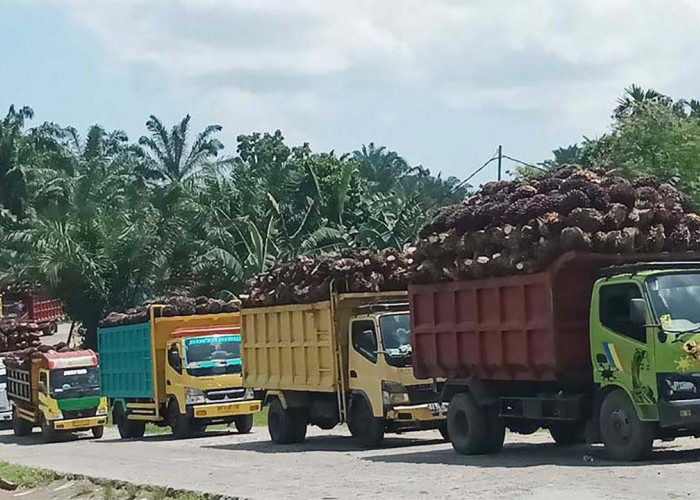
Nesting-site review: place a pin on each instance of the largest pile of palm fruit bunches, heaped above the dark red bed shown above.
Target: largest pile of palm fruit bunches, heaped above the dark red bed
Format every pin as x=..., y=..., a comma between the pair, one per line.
x=519, y=226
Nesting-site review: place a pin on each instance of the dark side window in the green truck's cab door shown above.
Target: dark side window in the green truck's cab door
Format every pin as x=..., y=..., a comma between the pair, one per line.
x=615, y=310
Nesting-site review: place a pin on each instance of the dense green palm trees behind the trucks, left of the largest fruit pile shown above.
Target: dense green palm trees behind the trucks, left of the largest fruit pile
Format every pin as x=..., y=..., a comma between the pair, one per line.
x=105, y=223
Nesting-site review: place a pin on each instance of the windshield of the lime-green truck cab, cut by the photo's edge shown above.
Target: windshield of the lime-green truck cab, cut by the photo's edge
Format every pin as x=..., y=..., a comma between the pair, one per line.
x=675, y=299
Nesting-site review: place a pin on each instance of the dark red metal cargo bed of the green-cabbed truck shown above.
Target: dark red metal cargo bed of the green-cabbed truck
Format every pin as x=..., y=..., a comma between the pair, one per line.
x=524, y=327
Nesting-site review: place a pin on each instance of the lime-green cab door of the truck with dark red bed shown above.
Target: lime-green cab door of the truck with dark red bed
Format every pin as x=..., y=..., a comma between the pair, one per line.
x=622, y=349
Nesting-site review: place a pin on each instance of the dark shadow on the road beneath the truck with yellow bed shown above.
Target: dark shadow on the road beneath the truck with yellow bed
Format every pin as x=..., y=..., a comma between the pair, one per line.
x=323, y=443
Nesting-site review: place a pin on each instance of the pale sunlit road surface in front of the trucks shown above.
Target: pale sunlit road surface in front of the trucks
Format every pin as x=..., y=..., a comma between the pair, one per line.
x=328, y=466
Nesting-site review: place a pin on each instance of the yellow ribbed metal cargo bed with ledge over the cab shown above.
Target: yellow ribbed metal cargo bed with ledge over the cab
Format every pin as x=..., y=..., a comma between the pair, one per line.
x=298, y=347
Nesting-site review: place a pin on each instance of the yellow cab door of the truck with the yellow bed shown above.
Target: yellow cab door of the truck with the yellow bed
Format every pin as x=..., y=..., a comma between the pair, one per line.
x=365, y=373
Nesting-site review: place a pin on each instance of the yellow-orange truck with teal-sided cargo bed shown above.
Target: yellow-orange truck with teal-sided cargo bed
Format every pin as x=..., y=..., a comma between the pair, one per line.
x=177, y=371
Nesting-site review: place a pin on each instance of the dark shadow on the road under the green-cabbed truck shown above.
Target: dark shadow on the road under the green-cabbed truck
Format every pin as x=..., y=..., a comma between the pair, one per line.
x=523, y=455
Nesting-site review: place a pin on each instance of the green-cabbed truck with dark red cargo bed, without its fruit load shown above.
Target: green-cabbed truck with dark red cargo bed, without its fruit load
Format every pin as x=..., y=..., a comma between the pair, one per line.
x=601, y=347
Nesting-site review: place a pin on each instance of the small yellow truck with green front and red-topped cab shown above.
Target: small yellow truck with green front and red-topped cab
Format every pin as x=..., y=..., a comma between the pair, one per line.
x=58, y=392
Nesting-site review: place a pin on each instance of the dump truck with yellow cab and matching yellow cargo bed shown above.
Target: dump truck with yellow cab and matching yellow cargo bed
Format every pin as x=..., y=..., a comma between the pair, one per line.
x=347, y=359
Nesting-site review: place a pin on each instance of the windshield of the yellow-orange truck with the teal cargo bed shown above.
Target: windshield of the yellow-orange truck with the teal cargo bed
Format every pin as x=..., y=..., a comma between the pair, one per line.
x=215, y=355
